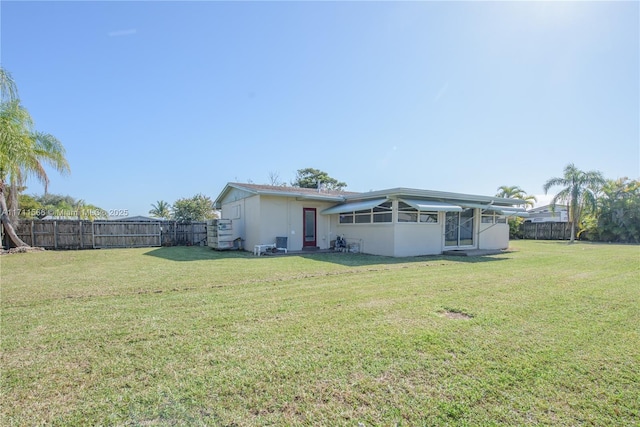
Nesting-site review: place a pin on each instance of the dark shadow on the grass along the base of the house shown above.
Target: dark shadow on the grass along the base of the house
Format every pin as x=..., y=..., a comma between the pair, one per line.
x=198, y=253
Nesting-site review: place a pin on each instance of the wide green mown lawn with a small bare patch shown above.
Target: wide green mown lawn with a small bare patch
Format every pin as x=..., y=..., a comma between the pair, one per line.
x=187, y=335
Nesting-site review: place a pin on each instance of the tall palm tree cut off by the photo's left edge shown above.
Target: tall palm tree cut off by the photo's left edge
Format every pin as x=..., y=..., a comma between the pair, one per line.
x=24, y=152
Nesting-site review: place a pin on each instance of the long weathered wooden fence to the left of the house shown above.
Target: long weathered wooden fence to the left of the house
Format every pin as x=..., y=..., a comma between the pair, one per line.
x=76, y=234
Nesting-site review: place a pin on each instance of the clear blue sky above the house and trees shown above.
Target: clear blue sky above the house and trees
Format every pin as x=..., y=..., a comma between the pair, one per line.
x=164, y=100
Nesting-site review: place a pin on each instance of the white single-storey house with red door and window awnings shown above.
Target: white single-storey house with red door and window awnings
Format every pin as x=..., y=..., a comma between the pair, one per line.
x=395, y=222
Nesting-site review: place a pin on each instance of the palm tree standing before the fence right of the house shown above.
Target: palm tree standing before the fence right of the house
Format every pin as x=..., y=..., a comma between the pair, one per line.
x=579, y=192
